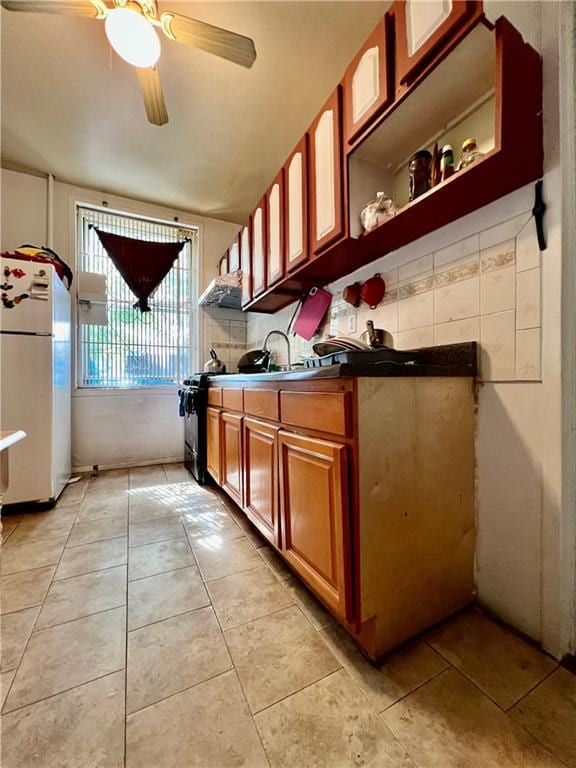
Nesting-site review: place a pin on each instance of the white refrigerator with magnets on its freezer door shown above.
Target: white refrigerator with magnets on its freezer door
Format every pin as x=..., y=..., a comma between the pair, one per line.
x=35, y=378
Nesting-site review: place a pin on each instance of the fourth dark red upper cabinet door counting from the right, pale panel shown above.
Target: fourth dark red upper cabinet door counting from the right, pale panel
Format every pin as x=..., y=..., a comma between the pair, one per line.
x=296, y=205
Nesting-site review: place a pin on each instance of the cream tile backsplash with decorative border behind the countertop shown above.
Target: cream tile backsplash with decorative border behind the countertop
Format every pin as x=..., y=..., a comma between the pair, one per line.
x=485, y=288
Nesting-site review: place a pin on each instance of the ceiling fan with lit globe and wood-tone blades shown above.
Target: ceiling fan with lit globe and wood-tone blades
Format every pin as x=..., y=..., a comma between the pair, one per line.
x=131, y=30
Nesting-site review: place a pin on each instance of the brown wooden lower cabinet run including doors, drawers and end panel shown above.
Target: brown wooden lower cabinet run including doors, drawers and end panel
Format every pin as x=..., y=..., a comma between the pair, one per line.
x=365, y=487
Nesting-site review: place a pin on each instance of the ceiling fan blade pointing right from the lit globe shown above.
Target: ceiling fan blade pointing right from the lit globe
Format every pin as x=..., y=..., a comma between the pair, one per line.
x=220, y=42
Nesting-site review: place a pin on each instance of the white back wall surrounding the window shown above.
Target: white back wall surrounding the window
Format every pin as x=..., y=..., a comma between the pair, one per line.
x=109, y=428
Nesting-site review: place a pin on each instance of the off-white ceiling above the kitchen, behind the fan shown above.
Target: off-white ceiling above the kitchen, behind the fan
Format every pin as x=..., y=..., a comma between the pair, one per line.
x=73, y=108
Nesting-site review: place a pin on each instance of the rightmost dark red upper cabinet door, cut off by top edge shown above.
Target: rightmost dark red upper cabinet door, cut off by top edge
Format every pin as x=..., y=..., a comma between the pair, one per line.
x=423, y=27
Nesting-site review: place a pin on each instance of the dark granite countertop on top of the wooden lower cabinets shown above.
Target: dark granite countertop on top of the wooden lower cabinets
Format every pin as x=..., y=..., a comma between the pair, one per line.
x=447, y=360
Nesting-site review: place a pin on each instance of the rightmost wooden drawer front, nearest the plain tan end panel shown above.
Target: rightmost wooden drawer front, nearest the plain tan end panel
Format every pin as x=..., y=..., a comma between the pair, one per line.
x=324, y=411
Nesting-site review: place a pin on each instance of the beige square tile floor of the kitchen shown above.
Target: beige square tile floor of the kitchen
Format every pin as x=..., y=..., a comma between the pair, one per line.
x=146, y=624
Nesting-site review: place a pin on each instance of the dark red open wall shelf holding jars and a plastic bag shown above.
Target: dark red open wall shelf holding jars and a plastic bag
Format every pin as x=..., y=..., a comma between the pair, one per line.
x=489, y=86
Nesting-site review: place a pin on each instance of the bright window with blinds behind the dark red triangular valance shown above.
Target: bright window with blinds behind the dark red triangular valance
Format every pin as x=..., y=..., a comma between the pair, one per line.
x=134, y=349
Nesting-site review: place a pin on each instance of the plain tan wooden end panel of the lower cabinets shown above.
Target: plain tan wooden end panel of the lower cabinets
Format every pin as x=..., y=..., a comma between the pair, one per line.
x=417, y=524
